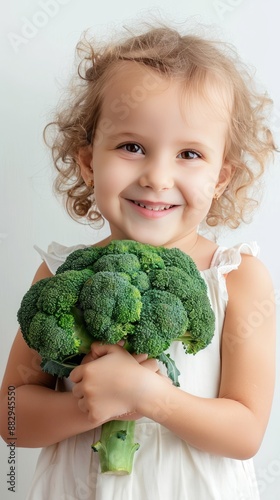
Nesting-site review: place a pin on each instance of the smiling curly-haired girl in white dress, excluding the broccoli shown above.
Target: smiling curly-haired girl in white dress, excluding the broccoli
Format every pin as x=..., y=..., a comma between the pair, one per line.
x=164, y=132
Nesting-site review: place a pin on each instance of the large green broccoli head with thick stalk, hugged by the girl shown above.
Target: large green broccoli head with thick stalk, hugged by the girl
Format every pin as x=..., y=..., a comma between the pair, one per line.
x=148, y=296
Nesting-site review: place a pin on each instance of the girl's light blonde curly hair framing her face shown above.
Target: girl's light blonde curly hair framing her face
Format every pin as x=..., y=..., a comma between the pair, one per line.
x=189, y=57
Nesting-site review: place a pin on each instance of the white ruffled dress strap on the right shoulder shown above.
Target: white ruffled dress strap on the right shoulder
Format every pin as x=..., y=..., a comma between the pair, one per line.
x=228, y=259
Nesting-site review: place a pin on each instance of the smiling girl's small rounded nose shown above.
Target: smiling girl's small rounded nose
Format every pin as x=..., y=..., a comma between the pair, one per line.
x=157, y=177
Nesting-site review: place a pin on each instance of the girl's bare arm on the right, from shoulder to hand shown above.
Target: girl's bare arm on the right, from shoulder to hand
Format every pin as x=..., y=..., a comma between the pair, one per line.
x=231, y=425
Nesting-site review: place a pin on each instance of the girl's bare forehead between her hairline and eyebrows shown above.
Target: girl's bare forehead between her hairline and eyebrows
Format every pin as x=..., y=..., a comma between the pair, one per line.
x=132, y=84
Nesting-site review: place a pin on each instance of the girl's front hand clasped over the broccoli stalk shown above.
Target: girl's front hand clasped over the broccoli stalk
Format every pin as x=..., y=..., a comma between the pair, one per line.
x=110, y=381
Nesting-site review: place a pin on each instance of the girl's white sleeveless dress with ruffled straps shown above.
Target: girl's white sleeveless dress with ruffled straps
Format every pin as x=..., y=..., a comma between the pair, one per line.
x=165, y=467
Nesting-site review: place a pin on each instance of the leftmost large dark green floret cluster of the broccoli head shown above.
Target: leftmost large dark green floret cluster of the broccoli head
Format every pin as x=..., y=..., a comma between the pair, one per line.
x=50, y=321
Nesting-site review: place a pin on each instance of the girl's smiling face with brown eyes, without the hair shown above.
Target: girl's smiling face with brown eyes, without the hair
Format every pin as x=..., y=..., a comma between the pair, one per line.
x=157, y=158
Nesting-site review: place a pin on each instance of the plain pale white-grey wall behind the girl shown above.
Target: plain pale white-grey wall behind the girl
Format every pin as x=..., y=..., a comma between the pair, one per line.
x=37, y=52
